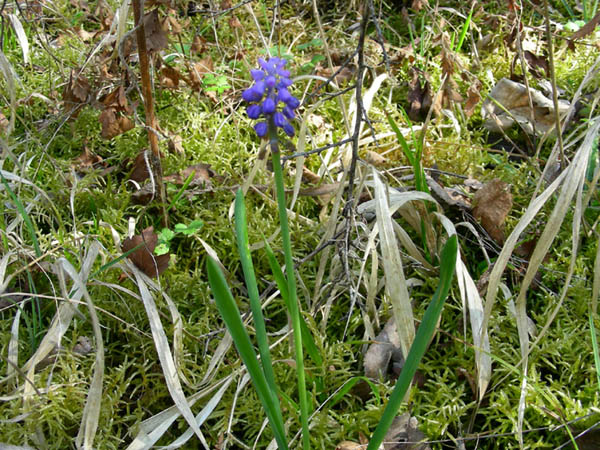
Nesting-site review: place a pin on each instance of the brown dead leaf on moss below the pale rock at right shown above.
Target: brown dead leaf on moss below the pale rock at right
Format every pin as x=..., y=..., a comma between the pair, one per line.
x=492, y=203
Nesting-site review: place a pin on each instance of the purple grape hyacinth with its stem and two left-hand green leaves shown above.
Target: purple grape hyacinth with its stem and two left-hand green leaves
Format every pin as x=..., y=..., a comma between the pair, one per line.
x=270, y=88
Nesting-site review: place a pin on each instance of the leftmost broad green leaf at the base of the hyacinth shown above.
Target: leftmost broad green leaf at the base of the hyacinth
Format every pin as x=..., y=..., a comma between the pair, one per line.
x=231, y=316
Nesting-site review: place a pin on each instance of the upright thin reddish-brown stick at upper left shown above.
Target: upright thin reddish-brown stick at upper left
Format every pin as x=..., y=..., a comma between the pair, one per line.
x=151, y=122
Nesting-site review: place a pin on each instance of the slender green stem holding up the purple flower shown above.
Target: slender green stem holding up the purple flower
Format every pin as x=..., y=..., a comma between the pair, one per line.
x=291, y=279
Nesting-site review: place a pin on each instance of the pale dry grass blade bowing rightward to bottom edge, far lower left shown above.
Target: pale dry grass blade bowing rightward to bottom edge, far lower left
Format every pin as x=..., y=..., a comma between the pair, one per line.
x=91, y=410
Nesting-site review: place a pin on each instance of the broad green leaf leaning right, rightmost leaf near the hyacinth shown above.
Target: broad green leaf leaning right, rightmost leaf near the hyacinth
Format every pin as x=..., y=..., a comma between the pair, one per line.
x=417, y=349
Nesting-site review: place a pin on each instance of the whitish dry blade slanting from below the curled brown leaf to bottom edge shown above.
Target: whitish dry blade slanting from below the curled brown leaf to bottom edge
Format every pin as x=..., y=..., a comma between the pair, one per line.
x=164, y=353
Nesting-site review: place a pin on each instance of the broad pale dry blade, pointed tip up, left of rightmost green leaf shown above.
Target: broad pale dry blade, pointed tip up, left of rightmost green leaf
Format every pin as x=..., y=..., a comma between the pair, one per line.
x=395, y=283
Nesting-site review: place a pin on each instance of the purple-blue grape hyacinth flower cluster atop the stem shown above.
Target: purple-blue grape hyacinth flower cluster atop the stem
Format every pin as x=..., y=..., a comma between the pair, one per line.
x=270, y=88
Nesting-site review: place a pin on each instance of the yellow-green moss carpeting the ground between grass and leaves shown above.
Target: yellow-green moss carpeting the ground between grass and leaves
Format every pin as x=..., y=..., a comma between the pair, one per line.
x=562, y=375
